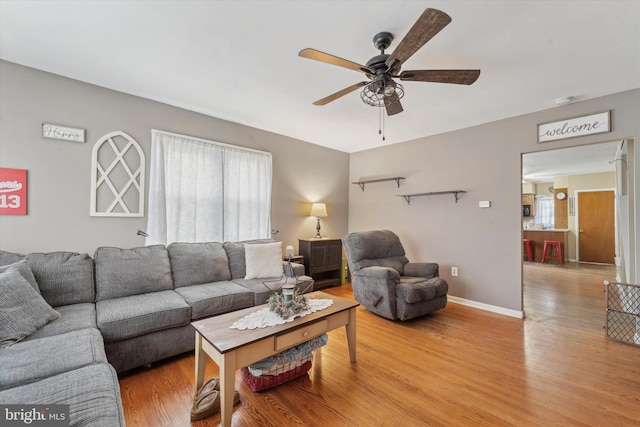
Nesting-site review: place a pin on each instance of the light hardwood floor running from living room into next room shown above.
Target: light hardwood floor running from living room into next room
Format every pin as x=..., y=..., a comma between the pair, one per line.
x=457, y=367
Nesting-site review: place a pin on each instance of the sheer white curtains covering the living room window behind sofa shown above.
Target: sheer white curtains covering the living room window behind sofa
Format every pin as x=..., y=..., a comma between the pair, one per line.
x=202, y=191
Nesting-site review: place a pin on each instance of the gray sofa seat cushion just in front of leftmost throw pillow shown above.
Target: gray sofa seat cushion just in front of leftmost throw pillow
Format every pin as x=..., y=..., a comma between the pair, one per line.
x=24, y=363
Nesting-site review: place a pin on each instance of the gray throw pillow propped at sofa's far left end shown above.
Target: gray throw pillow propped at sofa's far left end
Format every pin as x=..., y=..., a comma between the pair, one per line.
x=22, y=309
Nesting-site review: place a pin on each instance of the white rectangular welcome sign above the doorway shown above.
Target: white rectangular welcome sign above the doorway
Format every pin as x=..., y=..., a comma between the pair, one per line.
x=570, y=128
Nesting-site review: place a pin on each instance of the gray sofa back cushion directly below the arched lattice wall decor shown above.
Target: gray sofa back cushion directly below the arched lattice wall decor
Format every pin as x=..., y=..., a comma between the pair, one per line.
x=125, y=272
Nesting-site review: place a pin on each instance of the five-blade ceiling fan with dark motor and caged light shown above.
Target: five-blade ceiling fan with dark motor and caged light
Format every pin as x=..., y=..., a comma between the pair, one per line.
x=381, y=89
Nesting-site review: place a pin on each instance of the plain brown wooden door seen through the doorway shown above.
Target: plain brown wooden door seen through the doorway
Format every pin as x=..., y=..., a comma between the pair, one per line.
x=596, y=242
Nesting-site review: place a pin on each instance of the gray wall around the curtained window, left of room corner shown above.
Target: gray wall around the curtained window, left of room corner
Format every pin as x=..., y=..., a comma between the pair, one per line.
x=59, y=171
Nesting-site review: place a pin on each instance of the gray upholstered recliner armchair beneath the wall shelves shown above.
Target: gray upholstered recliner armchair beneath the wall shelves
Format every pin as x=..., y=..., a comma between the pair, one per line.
x=386, y=283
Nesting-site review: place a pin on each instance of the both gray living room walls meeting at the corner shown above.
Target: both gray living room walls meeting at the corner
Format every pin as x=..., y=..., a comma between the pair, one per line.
x=485, y=244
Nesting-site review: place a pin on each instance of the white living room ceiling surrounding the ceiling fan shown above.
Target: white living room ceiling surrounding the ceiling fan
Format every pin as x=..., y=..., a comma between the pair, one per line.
x=238, y=60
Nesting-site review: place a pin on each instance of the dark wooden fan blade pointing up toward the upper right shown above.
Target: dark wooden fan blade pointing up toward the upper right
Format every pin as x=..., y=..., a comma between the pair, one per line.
x=430, y=23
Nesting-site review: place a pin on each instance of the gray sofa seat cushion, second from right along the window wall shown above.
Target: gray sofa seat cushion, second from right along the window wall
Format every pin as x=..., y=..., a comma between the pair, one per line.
x=210, y=299
